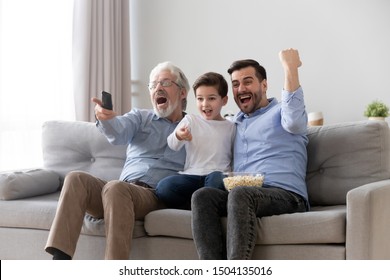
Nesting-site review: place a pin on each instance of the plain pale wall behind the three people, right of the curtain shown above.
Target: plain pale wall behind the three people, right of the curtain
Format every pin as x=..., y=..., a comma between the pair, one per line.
x=344, y=46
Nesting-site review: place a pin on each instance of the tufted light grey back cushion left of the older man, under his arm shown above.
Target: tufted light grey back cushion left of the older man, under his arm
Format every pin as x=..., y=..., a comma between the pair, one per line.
x=70, y=145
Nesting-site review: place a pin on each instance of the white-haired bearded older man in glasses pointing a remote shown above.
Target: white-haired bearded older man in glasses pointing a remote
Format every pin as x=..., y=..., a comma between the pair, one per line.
x=149, y=159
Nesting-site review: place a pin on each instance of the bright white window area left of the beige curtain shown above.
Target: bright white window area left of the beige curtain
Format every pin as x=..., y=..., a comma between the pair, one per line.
x=35, y=76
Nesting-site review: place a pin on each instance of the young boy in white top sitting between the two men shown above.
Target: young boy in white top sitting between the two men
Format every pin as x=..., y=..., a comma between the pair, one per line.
x=208, y=140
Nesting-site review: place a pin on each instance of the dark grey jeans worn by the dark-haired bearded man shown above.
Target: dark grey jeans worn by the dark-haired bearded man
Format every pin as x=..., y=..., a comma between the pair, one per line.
x=242, y=206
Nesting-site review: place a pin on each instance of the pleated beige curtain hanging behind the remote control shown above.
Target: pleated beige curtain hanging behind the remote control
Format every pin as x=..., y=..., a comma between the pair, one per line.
x=101, y=54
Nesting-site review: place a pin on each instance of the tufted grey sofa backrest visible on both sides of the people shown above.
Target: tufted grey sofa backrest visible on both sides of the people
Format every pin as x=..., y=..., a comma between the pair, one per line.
x=340, y=156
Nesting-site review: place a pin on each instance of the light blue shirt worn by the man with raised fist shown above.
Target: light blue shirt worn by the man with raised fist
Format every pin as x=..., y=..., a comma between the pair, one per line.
x=273, y=141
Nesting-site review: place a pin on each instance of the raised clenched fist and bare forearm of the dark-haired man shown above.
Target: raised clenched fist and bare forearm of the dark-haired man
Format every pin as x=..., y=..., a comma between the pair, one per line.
x=290, y=62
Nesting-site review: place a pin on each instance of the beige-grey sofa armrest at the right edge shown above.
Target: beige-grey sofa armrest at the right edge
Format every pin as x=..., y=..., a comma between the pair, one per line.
x=368, y=221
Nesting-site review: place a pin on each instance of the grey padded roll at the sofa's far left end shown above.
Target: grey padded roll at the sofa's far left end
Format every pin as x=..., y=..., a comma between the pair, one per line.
x=21, y=184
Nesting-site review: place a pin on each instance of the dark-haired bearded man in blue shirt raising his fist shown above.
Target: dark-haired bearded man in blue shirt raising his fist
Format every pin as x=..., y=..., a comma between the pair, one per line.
x=270, y=139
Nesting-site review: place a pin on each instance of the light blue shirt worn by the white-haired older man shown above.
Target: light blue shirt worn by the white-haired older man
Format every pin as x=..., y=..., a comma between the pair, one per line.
x=149, y=159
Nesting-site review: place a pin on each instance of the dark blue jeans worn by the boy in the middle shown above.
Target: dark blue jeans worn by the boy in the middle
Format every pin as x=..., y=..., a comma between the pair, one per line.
x=176, y=191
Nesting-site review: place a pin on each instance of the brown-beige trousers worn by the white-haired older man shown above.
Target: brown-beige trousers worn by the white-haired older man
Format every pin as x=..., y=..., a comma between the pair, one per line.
x=119, y=203
